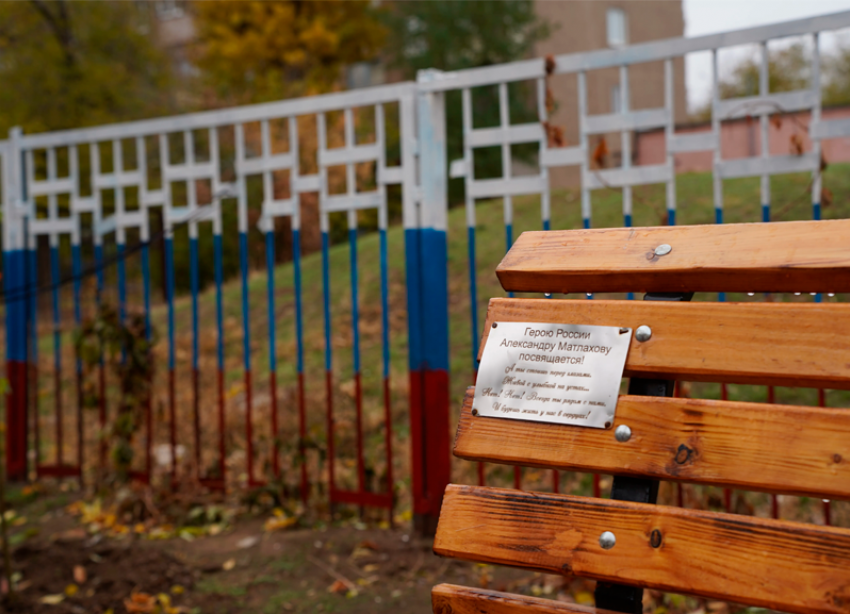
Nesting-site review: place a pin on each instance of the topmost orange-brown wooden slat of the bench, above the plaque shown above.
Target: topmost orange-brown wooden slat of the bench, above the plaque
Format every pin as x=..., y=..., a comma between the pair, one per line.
x=774, y=257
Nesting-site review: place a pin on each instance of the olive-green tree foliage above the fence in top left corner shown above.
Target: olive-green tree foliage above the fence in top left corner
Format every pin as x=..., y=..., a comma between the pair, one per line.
x=70, y=64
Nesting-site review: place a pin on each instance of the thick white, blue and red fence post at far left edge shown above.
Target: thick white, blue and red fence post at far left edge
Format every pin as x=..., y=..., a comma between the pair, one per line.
x=15, y=290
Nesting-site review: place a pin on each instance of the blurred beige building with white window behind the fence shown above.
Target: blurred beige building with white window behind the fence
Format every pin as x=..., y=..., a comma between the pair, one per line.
x=586, y=25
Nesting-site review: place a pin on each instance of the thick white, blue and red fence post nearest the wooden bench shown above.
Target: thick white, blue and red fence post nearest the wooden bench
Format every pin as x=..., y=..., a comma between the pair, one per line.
x=428, y=314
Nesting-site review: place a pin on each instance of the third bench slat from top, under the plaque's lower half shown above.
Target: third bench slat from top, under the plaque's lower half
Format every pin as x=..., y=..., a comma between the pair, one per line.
x=752, y=446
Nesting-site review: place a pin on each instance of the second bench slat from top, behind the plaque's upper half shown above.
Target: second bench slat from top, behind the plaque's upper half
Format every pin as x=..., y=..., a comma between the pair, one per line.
x=783, y=344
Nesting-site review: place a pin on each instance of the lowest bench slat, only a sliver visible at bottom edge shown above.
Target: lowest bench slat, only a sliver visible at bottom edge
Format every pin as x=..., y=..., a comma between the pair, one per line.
x=452, y=599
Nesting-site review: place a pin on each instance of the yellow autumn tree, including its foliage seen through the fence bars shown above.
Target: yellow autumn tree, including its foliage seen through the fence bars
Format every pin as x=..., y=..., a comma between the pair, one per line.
x=257, y=51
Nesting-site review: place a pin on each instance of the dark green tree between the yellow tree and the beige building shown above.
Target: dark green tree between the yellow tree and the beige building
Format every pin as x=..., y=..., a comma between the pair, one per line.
x=451, y=35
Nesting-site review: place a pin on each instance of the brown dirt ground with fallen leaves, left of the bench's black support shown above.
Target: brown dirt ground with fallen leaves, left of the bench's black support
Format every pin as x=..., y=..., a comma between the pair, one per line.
x=64, y=568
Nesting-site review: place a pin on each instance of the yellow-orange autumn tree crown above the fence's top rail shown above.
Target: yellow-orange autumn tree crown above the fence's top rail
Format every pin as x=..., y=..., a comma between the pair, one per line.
x=256, y=51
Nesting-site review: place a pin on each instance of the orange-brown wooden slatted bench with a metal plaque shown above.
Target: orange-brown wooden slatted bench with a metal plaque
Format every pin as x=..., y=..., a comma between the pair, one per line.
x=804, y=451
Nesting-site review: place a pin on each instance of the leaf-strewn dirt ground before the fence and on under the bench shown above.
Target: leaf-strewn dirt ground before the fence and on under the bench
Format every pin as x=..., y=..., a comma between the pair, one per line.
x=72, y=555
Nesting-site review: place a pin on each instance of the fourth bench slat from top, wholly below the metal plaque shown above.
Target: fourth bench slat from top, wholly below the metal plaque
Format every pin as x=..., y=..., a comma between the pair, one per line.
x=788, y=566
